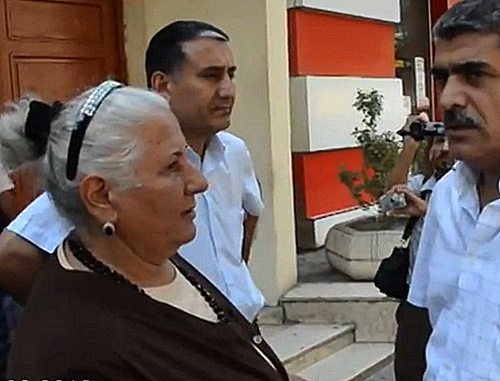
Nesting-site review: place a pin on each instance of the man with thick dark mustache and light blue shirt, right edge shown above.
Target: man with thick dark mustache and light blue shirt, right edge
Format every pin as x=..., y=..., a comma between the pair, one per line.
x=456, y=275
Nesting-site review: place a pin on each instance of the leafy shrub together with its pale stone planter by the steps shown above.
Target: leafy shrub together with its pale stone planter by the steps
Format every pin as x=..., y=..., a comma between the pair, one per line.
x=357, y=247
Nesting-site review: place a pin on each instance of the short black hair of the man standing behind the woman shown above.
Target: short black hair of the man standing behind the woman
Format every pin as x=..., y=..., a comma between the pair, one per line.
x=165, y=52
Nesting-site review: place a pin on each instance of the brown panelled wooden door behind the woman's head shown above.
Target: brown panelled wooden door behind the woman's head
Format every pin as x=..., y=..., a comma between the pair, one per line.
x=56, y=49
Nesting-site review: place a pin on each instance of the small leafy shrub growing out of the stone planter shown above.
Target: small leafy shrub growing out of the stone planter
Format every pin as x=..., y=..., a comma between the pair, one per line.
x=380, y=151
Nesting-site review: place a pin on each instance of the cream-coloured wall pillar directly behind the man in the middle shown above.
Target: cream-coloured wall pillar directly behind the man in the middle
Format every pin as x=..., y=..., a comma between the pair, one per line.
x=261, y=116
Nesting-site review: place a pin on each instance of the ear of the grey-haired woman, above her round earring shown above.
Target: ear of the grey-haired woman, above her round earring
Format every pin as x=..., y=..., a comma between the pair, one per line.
x=95, y=195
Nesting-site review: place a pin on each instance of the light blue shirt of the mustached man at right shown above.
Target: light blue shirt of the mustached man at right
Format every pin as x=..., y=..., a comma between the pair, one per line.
x=457, y=277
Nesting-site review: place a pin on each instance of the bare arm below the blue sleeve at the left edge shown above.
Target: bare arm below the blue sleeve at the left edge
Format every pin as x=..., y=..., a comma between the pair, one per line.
x=20, y=261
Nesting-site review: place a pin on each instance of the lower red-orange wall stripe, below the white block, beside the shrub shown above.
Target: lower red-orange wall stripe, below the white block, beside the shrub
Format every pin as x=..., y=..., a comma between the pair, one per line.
x=318, y=190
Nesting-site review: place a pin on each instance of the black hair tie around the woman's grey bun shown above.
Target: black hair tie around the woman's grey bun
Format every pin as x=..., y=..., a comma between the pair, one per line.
x=37, y=126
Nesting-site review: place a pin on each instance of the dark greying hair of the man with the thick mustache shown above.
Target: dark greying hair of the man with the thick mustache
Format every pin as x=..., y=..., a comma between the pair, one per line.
x=469, y=16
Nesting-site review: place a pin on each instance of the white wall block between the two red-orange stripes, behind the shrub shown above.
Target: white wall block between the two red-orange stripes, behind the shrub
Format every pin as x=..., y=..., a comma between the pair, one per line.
x=323, y=117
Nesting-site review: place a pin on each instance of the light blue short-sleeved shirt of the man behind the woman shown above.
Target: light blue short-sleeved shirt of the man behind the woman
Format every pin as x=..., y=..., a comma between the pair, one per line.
x=216, y=250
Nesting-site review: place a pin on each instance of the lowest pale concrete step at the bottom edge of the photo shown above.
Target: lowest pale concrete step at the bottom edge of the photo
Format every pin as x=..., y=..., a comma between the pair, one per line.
x=355, y=362
